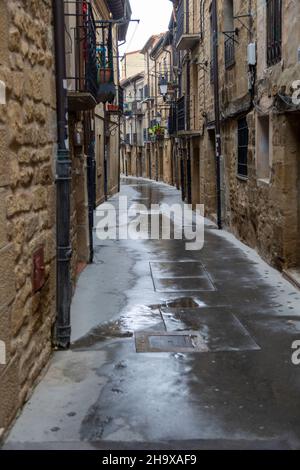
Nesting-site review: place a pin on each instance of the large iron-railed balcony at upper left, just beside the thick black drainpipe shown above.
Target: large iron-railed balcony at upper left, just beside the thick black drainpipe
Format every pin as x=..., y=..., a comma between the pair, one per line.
x=90, y=74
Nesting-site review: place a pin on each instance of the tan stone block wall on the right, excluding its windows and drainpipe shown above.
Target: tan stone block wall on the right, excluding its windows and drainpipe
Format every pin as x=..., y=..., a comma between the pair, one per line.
x=264, y=213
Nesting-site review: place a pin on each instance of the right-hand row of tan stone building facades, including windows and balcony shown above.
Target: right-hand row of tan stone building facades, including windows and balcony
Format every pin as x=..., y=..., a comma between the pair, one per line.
x=258, y=66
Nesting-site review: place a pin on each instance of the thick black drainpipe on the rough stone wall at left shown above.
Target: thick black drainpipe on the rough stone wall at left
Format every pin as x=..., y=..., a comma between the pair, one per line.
x=63, y=185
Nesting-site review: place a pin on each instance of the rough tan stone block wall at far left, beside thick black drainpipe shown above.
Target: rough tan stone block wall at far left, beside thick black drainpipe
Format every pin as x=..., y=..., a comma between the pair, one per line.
x=27, y=196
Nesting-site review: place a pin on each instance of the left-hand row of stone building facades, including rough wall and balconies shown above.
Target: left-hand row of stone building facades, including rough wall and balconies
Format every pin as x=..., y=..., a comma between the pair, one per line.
x=29, y=224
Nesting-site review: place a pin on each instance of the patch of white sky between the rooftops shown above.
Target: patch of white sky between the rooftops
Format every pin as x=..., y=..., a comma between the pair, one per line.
x=154, y=15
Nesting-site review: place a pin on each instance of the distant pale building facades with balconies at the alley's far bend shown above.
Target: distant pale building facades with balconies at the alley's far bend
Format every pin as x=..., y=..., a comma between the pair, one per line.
x=147, y=147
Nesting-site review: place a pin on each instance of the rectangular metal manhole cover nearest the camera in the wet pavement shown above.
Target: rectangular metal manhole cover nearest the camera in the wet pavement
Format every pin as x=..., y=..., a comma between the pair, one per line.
x=169, y=342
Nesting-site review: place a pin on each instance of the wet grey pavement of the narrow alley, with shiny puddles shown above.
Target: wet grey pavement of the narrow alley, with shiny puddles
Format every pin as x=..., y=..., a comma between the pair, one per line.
x=172, y=349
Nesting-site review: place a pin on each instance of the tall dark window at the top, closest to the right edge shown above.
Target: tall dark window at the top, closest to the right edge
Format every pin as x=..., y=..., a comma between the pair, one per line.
x=274, y=31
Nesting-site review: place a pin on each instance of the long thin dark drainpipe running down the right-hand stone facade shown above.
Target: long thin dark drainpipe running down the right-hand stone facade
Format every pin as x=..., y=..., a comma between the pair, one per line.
x=217, y=110
